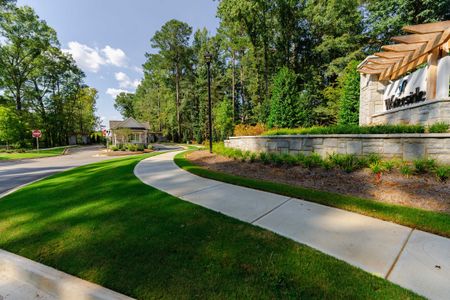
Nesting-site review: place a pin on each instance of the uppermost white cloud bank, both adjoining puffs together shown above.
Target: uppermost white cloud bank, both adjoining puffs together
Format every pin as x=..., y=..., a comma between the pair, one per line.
x=91, y=59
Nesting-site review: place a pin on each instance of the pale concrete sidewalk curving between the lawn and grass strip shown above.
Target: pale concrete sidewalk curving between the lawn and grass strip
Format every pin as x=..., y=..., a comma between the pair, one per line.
x=416, y=260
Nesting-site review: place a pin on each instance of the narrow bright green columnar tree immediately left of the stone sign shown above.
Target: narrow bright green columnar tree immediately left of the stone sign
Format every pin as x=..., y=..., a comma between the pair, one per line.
x=349, y=99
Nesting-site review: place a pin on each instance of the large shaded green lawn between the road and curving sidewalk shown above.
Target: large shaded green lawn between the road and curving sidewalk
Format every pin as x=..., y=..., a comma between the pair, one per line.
x=99, y=222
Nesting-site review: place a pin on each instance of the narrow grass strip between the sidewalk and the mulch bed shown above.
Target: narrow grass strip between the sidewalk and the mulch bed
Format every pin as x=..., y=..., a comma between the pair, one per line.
x=434, y=222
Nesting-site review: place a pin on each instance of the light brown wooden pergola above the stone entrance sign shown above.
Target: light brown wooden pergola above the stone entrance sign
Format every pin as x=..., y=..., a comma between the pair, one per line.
x=426, y=43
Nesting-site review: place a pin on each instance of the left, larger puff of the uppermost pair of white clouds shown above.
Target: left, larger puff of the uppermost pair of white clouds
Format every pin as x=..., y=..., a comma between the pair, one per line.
x=86, y=57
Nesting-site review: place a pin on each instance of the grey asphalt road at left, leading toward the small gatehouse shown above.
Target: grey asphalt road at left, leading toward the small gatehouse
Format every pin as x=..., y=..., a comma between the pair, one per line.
x=20, y=172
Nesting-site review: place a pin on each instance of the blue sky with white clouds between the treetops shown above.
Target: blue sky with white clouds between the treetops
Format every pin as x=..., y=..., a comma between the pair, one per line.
x=109, y=38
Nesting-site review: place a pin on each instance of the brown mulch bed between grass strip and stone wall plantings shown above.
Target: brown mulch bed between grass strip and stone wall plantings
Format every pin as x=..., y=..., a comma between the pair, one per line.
x=423, y=191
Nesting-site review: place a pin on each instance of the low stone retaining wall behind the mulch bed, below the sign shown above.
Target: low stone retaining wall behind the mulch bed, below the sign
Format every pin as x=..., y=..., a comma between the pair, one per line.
x=403, y=146
